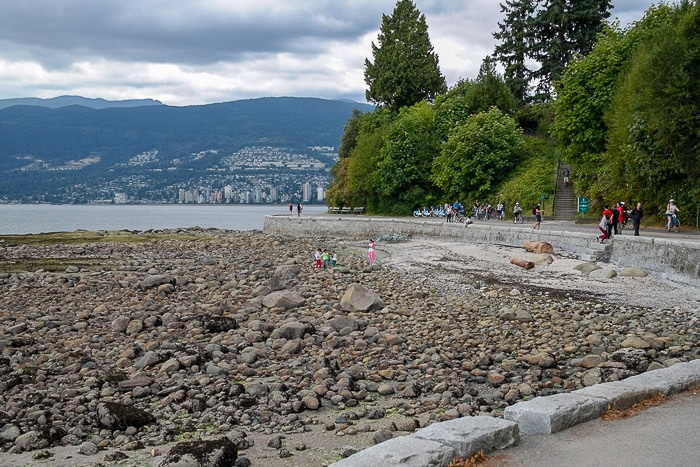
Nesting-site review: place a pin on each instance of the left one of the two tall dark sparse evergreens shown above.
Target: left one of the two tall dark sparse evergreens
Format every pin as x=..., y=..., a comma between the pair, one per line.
x=515, y=36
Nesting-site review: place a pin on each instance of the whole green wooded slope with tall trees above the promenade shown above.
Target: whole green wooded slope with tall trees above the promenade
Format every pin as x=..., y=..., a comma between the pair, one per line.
x=621, y=105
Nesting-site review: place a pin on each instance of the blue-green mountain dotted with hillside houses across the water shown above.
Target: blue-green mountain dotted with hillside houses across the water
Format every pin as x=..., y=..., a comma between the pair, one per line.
x=72, y=149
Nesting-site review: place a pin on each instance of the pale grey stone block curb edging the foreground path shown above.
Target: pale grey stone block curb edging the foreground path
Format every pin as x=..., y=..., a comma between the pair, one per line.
x=437, y=444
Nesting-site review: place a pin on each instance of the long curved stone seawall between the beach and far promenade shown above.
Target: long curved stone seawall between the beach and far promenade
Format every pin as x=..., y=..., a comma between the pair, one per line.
x=676, y=260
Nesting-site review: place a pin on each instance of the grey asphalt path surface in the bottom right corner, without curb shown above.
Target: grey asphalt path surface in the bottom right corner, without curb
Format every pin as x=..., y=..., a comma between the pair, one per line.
x=665, y=435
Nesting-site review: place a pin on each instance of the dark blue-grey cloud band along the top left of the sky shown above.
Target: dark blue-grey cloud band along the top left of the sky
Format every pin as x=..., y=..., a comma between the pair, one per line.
x=185, y=32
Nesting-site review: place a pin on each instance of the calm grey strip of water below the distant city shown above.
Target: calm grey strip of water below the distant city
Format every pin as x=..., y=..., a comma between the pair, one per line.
x=38, y=218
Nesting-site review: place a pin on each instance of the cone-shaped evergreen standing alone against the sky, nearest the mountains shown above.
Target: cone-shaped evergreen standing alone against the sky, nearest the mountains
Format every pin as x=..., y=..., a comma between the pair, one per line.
x=405, y=69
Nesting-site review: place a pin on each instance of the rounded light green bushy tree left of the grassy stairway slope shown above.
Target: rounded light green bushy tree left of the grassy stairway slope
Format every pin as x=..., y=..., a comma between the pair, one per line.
x=477, y=155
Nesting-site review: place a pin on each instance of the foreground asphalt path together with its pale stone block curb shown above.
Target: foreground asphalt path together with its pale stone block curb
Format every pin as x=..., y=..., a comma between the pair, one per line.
x=565, y=429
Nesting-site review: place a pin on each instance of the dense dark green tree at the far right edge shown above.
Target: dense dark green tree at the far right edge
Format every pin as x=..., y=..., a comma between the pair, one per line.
x=655, y=115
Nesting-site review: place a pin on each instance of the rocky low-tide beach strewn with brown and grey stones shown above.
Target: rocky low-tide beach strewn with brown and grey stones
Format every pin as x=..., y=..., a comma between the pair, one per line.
x=236, y=335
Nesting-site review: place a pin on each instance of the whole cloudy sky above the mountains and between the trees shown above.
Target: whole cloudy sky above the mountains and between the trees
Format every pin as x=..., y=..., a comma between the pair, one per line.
x=187, y=52
